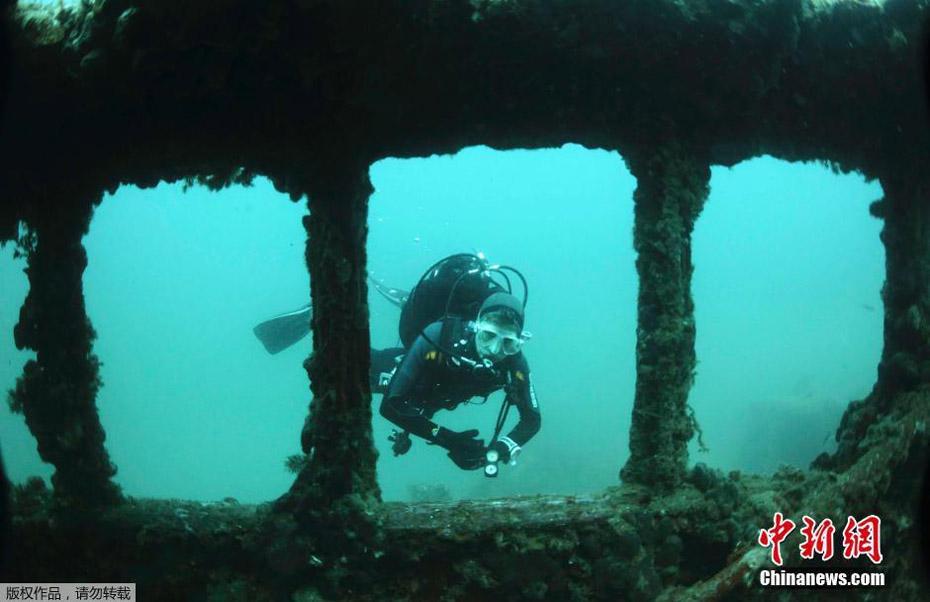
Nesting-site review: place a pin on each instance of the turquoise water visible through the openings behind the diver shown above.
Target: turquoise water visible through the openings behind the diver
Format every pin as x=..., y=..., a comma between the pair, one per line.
x=788, y=270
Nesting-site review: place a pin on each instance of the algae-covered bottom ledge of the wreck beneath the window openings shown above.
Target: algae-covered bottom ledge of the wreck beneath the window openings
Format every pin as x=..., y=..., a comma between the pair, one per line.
x=627, y=545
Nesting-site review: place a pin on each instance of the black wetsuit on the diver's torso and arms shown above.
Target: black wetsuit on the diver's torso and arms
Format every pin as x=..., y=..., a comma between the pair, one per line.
x=427, y=381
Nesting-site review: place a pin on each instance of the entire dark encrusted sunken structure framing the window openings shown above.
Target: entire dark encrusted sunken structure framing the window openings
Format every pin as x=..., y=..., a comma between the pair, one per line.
x=309, y=93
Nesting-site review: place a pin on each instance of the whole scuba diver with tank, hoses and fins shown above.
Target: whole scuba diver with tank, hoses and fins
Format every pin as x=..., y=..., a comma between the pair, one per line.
x=462, y=331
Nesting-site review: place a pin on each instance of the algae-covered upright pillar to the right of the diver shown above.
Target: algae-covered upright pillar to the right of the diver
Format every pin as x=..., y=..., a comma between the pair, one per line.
x=671, y=189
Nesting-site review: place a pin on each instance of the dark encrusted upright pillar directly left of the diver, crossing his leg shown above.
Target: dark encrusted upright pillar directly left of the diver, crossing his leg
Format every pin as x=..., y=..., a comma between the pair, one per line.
x=337, y=438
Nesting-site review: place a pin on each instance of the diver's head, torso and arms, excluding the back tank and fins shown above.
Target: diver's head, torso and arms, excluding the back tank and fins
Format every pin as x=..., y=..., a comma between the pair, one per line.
x=452, y=361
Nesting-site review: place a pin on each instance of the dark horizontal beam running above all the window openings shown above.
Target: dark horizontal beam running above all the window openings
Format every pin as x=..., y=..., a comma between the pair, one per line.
x=156, y=86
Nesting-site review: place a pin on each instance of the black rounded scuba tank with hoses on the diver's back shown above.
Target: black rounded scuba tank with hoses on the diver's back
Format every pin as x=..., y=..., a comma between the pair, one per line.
x=455, y=286
